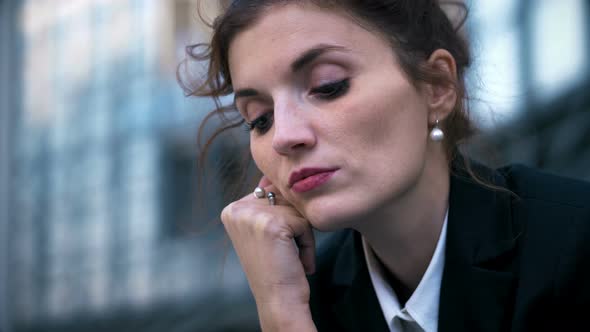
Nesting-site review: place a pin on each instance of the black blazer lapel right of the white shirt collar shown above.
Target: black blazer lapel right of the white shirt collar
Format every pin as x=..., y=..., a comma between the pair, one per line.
x=477, y=289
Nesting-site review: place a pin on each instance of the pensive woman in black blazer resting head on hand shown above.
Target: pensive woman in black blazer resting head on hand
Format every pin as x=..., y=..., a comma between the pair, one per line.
x=356, y=111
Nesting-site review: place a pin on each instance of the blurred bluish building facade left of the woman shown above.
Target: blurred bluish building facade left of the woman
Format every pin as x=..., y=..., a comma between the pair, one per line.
x=104, y=154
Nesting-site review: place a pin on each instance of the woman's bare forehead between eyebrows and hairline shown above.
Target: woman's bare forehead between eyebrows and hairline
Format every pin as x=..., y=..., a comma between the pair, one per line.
x=286, y=31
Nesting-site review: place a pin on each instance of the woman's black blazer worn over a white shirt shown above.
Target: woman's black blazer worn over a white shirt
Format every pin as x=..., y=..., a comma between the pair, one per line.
x=511, y=263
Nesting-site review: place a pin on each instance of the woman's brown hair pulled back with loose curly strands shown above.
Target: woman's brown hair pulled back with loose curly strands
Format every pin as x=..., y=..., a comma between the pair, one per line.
x=415, y=29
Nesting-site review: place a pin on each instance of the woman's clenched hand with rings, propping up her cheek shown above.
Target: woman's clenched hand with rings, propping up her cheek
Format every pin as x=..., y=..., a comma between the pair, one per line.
x=275, y=245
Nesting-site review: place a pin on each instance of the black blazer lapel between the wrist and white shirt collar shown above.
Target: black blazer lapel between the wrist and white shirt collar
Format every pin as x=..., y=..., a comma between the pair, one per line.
x=357, y=309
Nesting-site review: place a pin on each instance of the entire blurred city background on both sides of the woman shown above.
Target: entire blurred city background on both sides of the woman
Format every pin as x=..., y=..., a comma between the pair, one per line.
x=100, y=229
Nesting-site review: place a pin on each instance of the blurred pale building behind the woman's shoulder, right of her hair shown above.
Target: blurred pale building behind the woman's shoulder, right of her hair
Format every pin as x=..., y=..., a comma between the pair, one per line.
x=530, y=80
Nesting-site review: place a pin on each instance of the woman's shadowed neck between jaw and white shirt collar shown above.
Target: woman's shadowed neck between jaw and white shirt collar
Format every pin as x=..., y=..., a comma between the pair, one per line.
x=405, y=233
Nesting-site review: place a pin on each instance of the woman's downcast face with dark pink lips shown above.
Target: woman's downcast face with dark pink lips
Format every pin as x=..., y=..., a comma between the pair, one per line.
x=336, y=125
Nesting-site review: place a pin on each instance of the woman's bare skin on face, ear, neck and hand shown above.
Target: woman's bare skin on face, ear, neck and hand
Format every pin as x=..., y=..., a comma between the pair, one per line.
x=391, y=182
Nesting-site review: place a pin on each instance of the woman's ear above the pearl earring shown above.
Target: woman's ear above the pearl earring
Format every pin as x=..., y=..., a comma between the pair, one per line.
x=441, y=98
